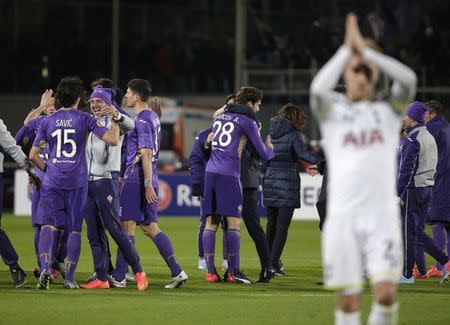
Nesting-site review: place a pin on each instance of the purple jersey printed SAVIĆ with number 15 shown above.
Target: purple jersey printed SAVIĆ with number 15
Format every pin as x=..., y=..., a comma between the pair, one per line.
x=64, y=133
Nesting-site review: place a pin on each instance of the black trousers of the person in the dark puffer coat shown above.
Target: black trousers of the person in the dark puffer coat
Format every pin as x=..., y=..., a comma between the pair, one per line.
x=278, y=222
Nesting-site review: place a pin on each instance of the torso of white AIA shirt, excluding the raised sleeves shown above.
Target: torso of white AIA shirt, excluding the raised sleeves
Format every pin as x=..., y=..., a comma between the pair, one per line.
x=360, y=142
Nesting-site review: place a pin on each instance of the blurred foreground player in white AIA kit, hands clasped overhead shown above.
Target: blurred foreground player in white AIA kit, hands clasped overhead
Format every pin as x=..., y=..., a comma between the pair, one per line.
x=362, y=232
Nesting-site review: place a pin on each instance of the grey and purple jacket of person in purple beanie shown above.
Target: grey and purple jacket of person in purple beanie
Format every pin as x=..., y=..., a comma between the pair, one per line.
x=418, y=160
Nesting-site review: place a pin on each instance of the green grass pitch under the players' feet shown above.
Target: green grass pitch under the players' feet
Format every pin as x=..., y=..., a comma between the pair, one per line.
x=295, y=299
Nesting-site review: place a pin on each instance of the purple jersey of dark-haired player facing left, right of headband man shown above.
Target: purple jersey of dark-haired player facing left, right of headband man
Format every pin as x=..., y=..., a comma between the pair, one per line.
x=146, y=134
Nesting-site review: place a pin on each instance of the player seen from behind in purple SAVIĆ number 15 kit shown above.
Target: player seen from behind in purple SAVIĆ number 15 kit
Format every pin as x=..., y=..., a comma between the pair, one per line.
x=64, y=190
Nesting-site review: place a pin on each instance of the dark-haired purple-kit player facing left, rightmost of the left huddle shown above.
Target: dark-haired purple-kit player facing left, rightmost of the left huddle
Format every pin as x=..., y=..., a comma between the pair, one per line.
x=139, y=195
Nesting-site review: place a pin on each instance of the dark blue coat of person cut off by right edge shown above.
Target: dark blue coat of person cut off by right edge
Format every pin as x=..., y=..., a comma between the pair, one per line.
x=440, y=200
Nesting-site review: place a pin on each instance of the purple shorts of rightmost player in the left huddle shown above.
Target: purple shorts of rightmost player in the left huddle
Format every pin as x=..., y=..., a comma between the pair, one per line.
x=134, y=206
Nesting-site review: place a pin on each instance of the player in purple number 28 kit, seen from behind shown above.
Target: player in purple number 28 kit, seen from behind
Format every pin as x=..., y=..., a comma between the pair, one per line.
x=222, y=187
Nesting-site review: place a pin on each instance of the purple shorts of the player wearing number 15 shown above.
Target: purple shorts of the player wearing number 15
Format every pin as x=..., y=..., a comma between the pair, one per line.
x=63, y=208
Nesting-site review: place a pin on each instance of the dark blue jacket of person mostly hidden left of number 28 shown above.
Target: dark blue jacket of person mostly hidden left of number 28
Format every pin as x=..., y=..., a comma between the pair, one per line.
x=197, y=163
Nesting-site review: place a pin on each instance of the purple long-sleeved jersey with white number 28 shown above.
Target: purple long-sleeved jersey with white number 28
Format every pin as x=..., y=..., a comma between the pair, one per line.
x=230, y=131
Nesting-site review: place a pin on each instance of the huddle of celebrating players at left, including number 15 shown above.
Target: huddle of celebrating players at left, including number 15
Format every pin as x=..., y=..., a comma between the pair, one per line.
x=78, y=159
